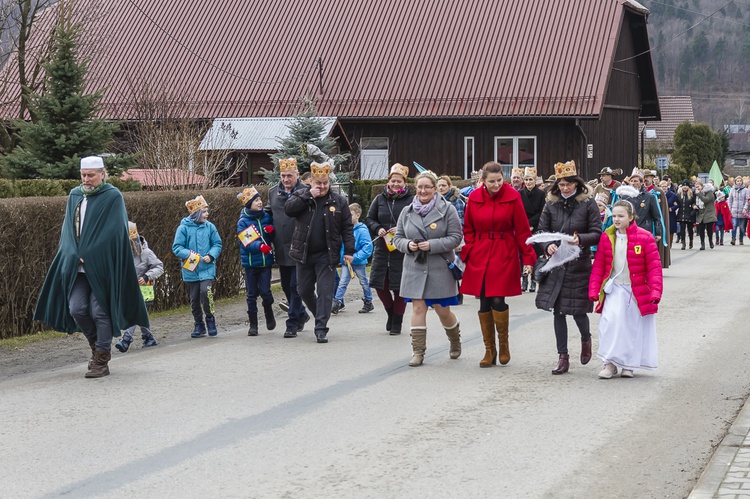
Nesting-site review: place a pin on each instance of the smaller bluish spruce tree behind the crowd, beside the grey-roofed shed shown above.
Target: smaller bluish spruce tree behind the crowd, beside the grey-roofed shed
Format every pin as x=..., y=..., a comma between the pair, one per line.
x=306, y=128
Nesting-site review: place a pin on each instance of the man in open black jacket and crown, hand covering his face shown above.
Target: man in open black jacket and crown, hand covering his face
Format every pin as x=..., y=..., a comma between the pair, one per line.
x=322, y=222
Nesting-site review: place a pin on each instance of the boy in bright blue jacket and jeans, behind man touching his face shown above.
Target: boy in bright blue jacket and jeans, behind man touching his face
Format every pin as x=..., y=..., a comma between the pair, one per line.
x=363, y=251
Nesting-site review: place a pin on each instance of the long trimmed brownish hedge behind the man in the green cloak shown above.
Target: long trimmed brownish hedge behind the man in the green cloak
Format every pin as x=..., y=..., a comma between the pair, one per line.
x=31, y=230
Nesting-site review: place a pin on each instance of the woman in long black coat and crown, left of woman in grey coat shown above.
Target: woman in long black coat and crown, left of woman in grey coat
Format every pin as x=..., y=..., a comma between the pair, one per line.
x=387, y=262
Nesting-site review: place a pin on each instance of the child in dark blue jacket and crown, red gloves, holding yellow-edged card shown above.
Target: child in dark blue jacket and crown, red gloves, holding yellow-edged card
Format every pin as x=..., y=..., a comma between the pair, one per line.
x=255, y=235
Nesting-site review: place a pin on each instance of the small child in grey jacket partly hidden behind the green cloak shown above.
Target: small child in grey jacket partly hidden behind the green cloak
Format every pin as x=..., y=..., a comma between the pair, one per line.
x=148, y=267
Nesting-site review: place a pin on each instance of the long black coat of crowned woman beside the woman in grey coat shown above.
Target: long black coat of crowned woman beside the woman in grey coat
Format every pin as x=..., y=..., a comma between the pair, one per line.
x=383, y=214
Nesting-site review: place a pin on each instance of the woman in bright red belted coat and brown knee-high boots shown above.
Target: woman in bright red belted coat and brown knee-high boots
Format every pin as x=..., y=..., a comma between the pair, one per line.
x=495, y=229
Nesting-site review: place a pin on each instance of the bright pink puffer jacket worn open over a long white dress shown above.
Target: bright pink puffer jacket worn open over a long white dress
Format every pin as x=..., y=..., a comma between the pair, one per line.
x=643, y=263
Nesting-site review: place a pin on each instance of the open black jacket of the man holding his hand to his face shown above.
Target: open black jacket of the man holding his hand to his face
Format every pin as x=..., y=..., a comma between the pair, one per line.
x=336, y=217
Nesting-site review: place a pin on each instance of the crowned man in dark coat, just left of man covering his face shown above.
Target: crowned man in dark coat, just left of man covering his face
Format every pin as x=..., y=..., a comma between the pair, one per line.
x=284, y=227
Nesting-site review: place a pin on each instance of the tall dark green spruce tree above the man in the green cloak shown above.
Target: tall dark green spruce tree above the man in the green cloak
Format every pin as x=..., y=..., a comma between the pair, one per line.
x=64, y=129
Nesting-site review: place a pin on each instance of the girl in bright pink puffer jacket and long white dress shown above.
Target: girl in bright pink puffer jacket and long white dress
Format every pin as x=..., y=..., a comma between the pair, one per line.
x=627, y=282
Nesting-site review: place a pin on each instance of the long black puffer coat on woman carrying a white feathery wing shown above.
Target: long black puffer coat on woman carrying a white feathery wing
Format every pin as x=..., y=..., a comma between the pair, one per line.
x=566, y=288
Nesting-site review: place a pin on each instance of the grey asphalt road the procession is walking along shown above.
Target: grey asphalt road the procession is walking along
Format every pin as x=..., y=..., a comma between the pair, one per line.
x=237, y=416
